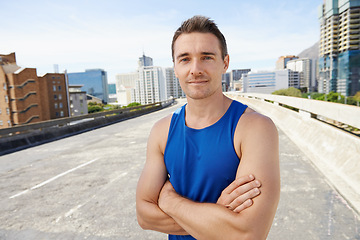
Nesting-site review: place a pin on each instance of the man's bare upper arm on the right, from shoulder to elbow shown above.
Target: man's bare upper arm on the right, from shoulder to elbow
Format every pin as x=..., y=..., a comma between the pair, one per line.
x=260, y=157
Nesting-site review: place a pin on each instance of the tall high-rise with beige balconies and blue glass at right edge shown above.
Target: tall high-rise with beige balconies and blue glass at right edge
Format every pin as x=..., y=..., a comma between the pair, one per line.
x=339, y=50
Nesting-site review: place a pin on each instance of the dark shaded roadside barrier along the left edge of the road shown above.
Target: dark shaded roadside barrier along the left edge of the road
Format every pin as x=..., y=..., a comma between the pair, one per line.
x=52, y=130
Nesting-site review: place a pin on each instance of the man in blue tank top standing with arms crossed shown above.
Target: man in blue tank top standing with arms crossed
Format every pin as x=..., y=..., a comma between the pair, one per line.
x=199, y=177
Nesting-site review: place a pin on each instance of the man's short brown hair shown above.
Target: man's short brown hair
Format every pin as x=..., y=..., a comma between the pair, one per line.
x=200, y=24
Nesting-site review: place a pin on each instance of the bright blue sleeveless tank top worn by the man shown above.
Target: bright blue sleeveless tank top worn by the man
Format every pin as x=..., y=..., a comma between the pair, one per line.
x=201, y=163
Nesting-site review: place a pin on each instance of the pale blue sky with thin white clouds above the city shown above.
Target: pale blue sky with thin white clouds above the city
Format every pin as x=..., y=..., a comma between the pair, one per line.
x=112, y=34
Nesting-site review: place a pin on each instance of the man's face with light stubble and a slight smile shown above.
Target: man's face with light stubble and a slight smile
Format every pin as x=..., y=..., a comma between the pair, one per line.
x=198, y=64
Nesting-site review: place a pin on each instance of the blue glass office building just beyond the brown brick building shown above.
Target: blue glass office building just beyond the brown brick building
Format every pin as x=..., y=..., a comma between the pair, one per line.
x=95, y=83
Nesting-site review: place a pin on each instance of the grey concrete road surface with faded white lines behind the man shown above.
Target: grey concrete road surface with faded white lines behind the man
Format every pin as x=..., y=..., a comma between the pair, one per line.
x=83, y=187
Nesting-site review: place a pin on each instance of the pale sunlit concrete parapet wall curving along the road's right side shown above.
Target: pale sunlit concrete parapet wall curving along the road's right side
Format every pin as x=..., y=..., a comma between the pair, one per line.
x=334, y=152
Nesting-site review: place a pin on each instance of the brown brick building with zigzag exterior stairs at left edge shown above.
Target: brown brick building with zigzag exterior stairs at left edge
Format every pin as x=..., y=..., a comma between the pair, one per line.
x=26, y=98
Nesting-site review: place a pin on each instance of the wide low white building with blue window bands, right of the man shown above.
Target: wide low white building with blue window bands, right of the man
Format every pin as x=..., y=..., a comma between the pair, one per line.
x=269, y=81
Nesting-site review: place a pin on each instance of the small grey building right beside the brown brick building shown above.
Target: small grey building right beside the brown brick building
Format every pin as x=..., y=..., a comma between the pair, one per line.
x=78, y=100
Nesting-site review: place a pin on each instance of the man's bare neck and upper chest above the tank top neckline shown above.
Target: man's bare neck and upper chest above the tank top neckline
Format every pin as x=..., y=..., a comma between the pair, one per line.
x=201, y=113
